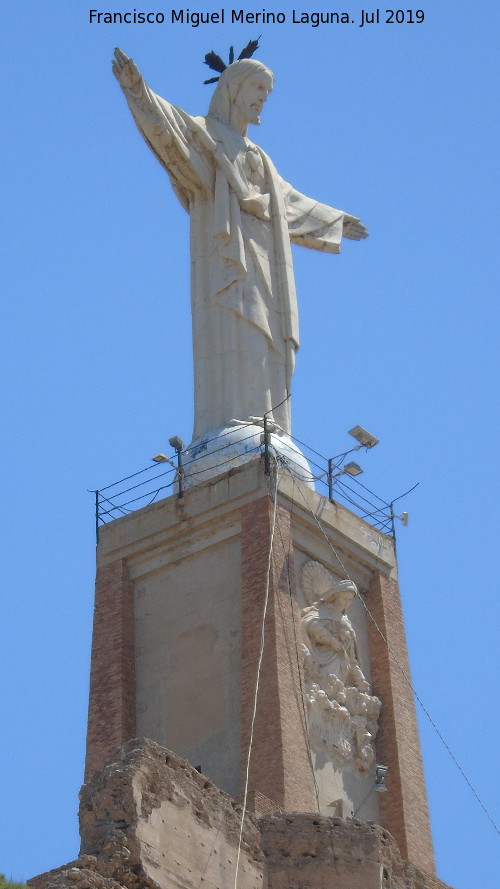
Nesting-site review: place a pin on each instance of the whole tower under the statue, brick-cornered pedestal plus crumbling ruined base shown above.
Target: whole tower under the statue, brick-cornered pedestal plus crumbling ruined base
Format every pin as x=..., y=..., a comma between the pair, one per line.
x=202, y=642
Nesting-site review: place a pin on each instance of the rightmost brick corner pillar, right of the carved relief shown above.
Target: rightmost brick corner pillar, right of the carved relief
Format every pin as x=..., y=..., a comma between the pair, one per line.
x=403, y=809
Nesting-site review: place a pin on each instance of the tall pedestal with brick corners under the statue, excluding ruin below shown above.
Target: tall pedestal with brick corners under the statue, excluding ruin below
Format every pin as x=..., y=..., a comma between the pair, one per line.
x=179, y=610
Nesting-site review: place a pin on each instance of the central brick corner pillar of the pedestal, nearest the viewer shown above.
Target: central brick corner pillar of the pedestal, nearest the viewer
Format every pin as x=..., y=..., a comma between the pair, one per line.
x=279, y=767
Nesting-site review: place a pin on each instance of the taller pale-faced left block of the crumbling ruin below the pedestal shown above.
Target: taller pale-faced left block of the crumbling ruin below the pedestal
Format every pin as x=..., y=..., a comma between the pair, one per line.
x=150, y=820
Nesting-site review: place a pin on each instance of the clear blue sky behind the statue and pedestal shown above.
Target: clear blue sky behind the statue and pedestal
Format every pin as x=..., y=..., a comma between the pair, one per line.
x=396, y=123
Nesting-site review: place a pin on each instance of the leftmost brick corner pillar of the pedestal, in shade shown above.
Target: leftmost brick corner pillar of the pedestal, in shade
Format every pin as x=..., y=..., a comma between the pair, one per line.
x=111, y=718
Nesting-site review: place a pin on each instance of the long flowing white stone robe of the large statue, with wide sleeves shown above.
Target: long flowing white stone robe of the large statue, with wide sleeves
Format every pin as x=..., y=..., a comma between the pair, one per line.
x=243, y=217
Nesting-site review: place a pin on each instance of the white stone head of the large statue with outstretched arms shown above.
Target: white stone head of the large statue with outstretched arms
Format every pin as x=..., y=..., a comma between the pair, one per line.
x=245, y=86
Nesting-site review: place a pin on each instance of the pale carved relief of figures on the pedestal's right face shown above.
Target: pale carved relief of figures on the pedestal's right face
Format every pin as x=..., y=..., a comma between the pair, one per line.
x=343, y=715
